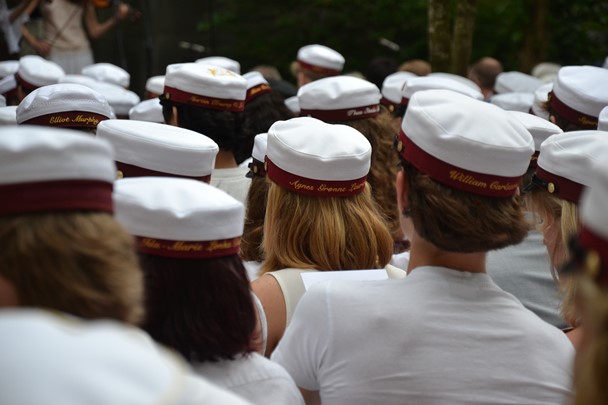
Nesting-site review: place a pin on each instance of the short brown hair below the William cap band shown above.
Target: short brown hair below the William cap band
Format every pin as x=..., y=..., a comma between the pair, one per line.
x=458, y=221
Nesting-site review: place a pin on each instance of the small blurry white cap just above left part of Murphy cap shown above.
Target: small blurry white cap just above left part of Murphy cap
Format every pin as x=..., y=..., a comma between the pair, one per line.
x=35, y=71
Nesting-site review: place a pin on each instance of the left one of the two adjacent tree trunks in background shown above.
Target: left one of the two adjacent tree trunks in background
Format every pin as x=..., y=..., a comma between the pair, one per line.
x=439, y=34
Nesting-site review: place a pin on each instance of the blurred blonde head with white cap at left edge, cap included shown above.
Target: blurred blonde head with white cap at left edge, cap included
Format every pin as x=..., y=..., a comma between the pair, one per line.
x=63, y=249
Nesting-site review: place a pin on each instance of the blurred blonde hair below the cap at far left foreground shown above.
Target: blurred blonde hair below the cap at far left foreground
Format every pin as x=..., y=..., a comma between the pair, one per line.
x=81, y=263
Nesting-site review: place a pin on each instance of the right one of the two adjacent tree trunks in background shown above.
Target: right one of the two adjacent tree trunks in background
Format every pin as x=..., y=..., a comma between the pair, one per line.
x=462, y=40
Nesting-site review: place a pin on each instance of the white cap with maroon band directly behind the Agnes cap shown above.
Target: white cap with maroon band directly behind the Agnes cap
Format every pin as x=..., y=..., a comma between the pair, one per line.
x=339, y=98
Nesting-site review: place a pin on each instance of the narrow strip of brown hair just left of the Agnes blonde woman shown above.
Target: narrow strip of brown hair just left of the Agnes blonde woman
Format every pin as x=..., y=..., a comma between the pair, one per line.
x=251, y=241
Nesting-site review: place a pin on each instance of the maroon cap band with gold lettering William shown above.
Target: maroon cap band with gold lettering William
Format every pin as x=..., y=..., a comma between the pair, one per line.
x=488, y=185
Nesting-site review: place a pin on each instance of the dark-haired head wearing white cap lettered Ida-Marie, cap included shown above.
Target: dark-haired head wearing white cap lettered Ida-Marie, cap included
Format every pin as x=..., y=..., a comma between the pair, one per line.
x=188, y=234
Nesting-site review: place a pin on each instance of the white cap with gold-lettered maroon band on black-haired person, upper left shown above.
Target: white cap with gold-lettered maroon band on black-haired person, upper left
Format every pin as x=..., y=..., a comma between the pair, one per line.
x=206, y=86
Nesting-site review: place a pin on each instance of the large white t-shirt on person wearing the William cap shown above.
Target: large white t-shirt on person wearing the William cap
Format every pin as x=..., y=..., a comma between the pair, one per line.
x=439, y=336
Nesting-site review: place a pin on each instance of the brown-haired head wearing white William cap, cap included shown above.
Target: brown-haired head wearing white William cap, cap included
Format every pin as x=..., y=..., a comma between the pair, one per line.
x=453, y=163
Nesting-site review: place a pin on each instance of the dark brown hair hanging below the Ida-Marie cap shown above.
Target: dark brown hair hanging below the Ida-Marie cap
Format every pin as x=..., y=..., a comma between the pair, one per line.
x=203, y=308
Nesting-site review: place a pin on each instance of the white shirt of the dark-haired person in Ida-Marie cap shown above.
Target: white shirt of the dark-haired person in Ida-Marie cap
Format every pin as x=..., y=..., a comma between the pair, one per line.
x=254, y=378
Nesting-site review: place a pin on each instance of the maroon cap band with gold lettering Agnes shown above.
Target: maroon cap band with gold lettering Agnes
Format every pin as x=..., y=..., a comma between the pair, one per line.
x=318, y=188
